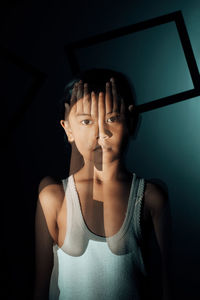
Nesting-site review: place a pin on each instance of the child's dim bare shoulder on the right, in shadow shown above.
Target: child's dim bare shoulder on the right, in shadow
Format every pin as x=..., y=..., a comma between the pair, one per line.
x=155, y=198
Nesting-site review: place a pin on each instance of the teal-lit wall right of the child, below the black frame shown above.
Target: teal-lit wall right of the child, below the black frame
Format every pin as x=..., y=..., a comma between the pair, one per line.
x=167, y=147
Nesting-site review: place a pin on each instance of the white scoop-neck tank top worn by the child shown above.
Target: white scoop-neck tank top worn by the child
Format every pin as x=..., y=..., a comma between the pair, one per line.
x=89, y=266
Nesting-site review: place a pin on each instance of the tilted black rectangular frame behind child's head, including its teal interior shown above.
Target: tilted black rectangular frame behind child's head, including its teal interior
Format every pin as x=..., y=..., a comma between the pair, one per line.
x=156, y=55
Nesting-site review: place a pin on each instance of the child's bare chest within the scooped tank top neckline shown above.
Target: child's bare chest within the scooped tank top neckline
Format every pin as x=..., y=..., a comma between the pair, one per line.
x=104, y=207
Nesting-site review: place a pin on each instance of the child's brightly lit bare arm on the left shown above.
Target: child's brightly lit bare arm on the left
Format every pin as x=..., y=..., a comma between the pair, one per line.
x=45, y=234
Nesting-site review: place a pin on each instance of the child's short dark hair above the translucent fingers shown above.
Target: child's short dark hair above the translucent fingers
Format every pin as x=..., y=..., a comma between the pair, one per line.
x=96, y=79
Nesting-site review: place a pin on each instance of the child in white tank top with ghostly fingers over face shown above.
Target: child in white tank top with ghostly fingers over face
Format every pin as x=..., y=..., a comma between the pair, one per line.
x=92, y=227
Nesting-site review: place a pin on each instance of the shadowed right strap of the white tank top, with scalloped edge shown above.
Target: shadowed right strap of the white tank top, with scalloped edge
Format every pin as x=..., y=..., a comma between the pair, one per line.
x=138, y=208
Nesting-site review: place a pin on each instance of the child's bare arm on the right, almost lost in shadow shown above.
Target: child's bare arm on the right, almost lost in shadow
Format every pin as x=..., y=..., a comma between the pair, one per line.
x=158, y=206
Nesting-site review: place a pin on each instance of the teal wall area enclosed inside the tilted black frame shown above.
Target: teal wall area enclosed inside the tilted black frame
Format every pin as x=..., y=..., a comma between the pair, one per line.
x=153, y=59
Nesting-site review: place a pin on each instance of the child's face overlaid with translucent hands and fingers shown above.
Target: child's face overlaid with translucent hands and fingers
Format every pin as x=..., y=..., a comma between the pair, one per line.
x=96, y=123
